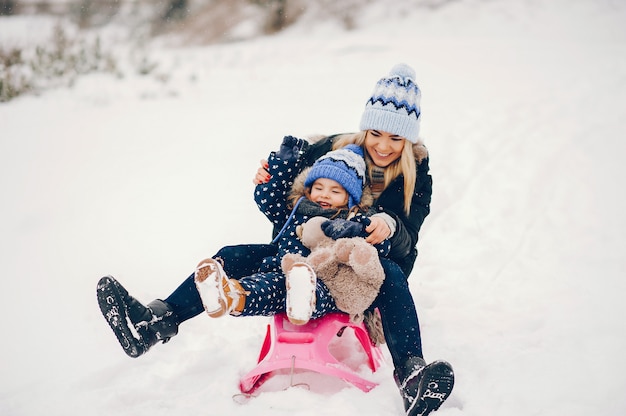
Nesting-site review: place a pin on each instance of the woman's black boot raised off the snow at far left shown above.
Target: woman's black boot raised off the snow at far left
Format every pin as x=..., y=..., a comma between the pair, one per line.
x=137, y=327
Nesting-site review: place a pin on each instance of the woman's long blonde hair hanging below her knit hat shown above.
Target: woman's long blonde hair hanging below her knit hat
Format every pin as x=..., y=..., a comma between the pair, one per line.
x=405, y=165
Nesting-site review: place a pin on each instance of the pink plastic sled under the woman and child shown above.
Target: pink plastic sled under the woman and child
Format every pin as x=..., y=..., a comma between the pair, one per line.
x=306, y=347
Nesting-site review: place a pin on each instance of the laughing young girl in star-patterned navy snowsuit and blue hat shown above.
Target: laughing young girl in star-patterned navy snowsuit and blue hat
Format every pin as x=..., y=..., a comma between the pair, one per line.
x=331, y=188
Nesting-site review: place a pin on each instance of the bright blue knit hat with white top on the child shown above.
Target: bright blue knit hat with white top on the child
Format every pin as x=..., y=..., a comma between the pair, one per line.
x=346, y=166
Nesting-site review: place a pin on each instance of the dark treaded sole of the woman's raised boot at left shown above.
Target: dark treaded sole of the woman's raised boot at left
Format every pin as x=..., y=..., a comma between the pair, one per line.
x=113, y=309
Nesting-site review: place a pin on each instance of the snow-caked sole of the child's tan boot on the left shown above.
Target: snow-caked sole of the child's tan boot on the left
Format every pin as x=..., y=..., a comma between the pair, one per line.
x=209, y=280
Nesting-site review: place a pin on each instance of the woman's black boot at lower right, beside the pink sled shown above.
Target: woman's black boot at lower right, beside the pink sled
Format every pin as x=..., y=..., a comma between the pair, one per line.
x=424, y=387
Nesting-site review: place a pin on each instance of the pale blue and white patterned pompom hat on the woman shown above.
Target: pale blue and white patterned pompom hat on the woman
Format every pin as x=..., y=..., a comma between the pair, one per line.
x=394, y=106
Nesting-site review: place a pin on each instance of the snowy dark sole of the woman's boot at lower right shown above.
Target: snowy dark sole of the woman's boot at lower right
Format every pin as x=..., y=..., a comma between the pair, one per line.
x=435, y=387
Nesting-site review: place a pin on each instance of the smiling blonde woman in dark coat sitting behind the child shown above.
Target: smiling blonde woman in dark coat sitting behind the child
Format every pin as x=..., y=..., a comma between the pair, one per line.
x=397, y=165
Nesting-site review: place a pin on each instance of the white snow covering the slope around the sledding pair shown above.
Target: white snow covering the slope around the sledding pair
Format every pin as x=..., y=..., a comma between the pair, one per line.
x=520, y=278
